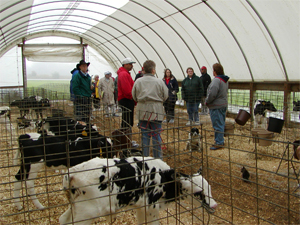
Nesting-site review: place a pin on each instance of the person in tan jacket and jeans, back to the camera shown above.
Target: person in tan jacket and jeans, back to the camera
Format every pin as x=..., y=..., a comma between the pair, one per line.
x=150, y=93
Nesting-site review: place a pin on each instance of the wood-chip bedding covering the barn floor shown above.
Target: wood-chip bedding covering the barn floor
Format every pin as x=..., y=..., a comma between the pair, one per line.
x=272, y=195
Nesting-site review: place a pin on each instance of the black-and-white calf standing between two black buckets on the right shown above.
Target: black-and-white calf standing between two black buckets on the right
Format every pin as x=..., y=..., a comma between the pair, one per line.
x=260, y=109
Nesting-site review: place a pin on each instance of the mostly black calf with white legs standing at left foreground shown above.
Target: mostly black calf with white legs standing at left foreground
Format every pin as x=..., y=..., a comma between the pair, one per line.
x=37, y=150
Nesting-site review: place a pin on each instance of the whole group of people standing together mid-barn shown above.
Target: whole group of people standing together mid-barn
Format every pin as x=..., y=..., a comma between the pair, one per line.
x=154, y=98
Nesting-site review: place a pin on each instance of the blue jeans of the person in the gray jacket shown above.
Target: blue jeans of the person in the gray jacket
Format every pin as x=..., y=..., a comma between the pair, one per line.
x=217, y=117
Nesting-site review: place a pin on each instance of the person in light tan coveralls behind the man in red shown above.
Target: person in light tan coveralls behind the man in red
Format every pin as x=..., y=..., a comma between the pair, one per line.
x=106, y=93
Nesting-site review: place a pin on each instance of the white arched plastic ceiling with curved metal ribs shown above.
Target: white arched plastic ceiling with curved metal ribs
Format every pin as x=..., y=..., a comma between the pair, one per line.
x=254, y=40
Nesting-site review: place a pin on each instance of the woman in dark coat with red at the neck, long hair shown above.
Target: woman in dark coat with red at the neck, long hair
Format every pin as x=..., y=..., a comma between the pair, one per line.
x=169, y=105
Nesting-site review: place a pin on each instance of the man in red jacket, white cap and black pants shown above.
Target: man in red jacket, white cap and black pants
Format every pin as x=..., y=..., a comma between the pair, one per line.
x=125, y=84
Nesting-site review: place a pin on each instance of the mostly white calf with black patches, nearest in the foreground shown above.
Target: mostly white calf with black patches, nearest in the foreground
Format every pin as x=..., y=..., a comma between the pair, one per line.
x=100, y=187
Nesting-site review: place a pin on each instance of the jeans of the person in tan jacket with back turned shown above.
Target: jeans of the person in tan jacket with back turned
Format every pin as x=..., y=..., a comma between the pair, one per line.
x=151, y=129
